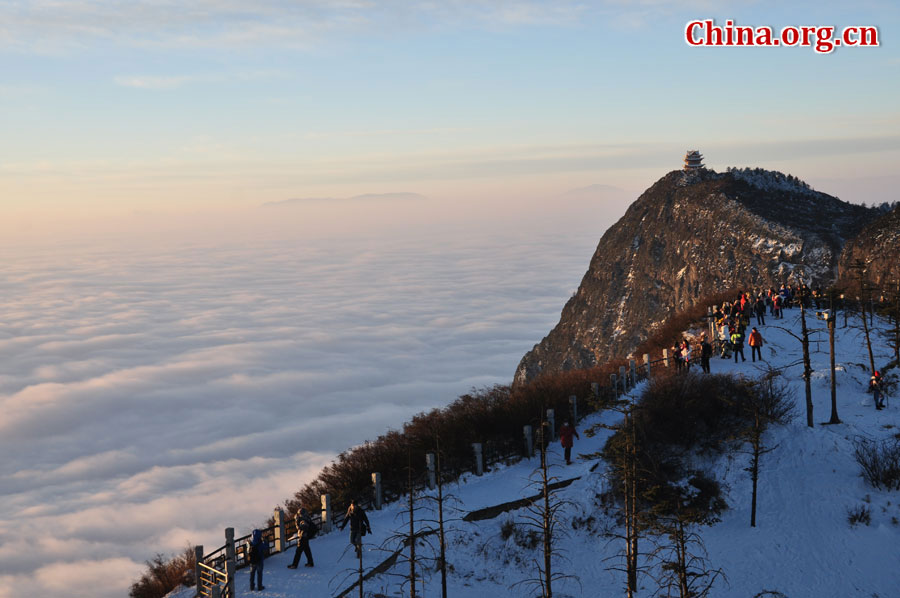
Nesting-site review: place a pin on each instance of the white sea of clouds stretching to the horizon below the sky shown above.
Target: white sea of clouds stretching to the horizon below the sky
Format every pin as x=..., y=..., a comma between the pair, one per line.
x=151, y=396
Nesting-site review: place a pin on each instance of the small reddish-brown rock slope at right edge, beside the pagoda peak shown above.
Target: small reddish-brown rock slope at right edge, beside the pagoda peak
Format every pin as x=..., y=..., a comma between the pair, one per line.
x=878, y=247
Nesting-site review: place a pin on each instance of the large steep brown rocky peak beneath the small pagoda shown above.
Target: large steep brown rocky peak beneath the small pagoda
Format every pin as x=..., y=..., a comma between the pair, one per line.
x=687, y=236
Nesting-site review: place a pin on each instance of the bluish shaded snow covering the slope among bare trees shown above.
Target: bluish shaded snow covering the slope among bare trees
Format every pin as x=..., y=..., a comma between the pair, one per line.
x=803, y=545
